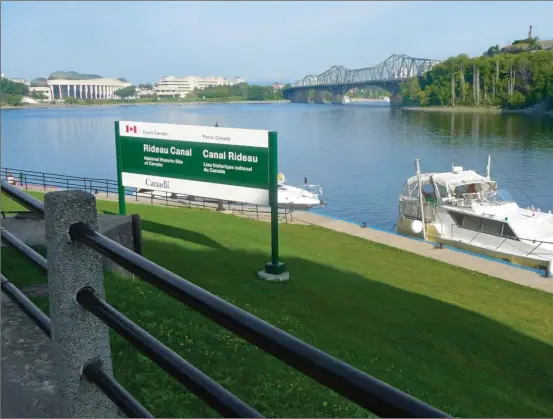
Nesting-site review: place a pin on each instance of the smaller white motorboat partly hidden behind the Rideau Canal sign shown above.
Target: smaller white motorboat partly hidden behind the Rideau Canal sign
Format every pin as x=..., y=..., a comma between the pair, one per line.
x=289, y=197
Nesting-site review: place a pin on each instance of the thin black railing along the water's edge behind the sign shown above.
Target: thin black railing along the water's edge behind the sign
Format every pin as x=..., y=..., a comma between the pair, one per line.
x=33, y=180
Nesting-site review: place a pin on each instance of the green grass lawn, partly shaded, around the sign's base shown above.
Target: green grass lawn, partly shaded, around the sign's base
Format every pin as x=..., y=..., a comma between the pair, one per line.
x=471, y=345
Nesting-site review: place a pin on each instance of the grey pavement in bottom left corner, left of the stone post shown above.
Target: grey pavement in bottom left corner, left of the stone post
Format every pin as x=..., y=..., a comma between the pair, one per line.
x=27, y=370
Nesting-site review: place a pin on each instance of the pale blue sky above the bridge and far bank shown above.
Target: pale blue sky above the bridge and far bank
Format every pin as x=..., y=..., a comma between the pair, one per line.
x=261, y=41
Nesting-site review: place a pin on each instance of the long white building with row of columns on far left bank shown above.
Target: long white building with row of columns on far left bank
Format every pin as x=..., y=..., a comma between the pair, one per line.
x=102, y=88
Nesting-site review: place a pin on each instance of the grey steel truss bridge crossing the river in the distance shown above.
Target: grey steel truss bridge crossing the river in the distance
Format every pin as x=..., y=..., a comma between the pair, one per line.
x=338, y=80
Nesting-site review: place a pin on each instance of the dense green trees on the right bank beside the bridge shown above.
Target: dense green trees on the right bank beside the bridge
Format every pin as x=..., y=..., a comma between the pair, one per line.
x=511, y=81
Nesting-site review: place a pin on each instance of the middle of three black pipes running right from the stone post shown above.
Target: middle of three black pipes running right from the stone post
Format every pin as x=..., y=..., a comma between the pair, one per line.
x=196, y=381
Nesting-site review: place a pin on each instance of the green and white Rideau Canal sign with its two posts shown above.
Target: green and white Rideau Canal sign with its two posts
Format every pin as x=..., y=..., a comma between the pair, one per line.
x=227, y=164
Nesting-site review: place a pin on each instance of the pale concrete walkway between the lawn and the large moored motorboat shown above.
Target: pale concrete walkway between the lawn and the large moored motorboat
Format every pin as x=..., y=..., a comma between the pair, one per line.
x=453, y=257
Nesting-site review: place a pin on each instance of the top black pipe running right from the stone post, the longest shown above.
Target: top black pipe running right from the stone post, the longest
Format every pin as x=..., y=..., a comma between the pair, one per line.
x=369, y=392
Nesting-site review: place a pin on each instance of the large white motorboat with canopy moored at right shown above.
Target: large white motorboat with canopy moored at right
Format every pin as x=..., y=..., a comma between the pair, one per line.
x=466, y=210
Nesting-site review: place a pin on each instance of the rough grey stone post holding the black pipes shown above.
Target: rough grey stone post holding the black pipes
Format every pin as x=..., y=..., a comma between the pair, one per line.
x=78, y=337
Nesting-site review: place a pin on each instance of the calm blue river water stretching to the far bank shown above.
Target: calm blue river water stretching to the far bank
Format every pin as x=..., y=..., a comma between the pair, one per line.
x=360, y=153
